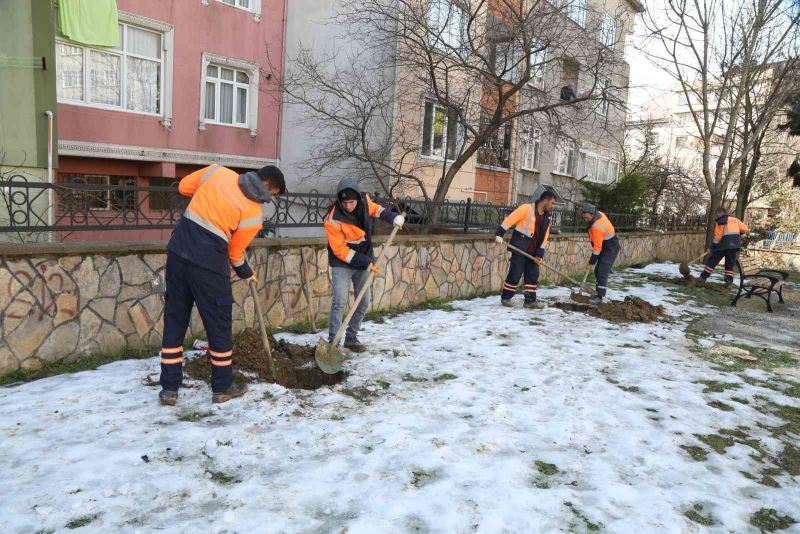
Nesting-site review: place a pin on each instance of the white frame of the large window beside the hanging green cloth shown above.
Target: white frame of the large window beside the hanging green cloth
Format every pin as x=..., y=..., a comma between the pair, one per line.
x=166, y=33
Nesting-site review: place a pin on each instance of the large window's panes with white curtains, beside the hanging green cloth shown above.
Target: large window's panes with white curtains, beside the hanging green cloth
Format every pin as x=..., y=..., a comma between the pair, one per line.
x=129, y=77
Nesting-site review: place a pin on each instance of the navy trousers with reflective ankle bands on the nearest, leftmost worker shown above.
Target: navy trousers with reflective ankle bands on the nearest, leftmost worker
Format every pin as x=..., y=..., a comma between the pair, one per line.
x=187, y=284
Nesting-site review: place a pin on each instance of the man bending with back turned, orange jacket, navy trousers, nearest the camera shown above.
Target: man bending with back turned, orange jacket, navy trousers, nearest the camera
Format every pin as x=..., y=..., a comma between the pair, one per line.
x=223, y=217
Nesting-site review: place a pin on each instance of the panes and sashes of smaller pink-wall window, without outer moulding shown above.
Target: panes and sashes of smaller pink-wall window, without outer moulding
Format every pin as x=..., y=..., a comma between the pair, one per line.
x=226, y=95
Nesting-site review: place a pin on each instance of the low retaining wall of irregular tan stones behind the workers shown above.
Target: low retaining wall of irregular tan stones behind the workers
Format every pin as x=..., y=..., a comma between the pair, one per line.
x=69, y=300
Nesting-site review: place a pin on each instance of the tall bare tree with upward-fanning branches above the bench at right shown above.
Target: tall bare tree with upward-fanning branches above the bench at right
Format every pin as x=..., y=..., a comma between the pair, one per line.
x=717, y=51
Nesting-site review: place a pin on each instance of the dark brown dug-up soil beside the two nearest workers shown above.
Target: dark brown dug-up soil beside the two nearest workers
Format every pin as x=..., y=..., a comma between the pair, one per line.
x=295, y=365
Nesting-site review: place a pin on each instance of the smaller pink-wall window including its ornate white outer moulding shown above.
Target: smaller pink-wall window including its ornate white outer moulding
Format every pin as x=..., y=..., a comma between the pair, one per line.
x=229, y=93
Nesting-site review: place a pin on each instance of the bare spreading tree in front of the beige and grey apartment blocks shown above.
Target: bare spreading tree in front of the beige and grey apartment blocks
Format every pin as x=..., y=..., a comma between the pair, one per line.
x=478, y=65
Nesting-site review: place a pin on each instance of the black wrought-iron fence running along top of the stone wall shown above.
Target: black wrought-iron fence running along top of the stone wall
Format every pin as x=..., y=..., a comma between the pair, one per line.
x=78, y=206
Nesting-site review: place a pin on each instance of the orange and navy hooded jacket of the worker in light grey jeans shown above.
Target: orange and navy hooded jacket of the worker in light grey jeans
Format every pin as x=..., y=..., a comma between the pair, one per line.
x=350, y=234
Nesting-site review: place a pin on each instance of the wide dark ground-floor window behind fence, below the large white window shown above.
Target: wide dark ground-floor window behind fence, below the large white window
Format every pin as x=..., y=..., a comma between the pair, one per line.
x=110, y=194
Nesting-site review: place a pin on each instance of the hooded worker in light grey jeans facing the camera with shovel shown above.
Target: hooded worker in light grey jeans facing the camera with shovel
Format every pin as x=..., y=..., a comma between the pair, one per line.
x=348, y=226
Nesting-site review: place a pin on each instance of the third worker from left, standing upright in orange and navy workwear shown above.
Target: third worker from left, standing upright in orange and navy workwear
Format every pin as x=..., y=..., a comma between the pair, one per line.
x=531, y=223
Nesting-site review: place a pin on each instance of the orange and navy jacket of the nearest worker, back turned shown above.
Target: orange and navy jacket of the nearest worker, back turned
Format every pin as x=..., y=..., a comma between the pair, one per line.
x=223, y=217
